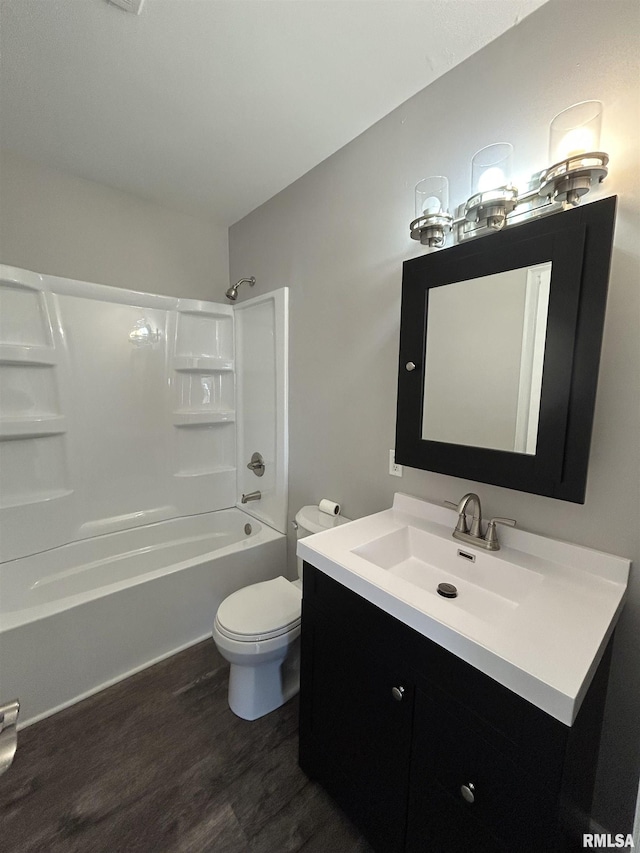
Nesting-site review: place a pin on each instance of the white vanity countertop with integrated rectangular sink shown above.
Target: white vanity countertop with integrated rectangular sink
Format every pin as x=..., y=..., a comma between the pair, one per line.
x=536, y=616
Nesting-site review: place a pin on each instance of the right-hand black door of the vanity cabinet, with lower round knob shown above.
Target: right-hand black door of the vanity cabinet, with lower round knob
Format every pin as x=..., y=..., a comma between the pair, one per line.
x=464, y=786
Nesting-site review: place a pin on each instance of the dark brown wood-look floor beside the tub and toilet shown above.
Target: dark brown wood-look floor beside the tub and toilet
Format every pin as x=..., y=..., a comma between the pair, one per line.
x=159, y=763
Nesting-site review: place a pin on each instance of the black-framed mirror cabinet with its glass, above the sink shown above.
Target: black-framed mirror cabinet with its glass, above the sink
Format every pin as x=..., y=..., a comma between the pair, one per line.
x=499, y=351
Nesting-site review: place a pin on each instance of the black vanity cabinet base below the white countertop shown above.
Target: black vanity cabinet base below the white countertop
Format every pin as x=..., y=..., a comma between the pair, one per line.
x=425, y=753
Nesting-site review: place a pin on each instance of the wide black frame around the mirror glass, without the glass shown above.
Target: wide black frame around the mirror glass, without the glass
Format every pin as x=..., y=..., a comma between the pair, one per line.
x=578, y=243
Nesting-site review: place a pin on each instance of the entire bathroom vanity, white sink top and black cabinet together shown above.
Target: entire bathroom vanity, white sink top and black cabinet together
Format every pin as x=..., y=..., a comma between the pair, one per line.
x=434, y=725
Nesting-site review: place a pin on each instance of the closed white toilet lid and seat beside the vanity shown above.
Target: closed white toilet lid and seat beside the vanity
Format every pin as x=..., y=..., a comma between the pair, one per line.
x=261, y=611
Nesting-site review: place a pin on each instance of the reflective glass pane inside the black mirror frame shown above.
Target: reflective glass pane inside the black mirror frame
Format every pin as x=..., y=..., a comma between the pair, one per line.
x=484, y=360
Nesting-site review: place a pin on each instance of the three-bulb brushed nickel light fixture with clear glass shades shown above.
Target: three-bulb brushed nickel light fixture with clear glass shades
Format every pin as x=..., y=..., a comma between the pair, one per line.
x=495, y=203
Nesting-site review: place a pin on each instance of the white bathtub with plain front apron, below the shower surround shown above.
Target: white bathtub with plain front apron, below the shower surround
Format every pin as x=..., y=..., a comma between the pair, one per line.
x=77, y=618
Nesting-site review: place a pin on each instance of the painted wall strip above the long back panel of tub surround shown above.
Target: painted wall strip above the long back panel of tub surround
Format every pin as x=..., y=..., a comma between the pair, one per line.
x=53, y=222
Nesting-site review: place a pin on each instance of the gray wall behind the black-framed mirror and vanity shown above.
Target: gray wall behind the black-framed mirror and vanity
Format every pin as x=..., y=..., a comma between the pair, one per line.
x=338, y=237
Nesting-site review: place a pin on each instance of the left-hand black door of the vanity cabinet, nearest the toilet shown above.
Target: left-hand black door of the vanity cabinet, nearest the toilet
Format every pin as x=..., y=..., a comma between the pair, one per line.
x=356, y=718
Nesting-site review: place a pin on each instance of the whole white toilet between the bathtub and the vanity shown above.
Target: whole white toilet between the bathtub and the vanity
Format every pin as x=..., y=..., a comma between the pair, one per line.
x=257, y=629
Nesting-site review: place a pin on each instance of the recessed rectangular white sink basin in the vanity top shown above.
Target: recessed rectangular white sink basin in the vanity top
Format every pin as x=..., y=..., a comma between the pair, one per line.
x=489, y=588
